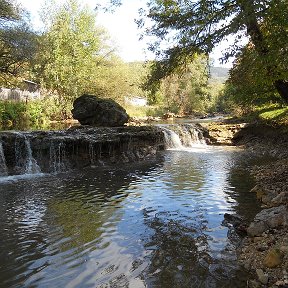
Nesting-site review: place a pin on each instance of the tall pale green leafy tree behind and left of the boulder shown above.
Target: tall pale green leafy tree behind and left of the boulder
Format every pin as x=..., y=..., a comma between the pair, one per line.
x=73, y=54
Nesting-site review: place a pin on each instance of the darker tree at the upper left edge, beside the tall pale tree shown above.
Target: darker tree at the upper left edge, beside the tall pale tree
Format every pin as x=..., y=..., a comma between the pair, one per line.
x=17, y=41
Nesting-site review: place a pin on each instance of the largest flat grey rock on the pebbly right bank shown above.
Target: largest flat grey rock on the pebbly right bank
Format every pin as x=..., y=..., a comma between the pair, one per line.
x=267, y=219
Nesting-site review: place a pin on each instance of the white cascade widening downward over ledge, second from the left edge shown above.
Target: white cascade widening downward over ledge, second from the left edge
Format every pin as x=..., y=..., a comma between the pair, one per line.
x=25, y=162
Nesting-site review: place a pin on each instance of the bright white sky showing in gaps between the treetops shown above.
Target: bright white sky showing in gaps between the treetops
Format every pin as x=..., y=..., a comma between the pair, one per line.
x=121, y=27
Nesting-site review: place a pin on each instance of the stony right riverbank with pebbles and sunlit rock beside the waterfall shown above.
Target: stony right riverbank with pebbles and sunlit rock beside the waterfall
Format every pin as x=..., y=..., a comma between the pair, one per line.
x=264, y=252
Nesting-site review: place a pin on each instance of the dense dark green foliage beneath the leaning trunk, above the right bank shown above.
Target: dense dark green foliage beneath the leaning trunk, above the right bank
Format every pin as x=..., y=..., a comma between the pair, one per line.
x=250, y=83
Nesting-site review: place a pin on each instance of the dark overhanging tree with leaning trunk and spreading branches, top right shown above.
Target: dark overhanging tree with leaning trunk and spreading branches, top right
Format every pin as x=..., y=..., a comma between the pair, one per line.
x=199, y=25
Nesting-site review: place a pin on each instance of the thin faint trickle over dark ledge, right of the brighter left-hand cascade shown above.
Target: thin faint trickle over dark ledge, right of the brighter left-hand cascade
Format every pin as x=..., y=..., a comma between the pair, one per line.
x=57, y=161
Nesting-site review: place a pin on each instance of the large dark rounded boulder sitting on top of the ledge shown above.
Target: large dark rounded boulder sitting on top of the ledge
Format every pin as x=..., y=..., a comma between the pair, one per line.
x=94, y=111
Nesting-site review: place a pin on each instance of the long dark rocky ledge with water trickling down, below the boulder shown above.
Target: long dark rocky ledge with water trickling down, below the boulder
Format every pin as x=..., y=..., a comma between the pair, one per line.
x=57, y=151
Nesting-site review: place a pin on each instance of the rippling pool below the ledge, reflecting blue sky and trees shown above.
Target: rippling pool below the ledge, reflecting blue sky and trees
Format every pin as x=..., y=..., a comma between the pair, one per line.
x=149, y=225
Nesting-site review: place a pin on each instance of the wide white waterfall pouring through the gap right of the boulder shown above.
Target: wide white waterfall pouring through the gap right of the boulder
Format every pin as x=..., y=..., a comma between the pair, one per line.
x=183, y=136
